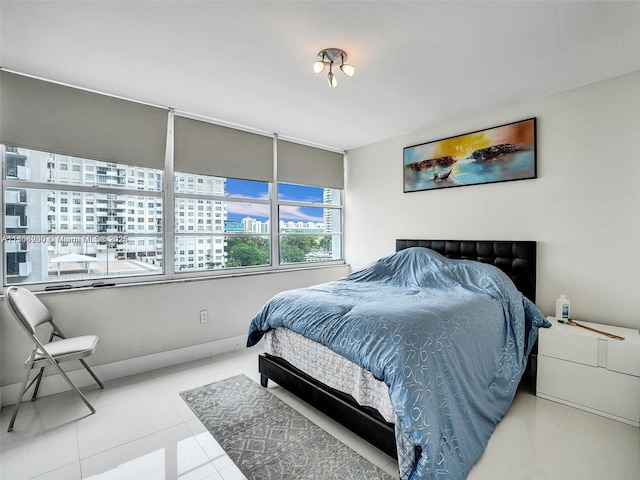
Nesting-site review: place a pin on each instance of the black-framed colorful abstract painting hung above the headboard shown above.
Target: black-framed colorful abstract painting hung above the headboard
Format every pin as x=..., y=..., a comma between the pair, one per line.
x=497, y=154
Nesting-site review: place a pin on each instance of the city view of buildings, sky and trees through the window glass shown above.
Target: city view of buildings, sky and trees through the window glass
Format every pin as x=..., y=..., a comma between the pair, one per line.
x=229, y=219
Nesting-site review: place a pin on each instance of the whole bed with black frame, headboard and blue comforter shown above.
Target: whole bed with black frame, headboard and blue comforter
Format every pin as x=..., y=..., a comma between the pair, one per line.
x=434, y=437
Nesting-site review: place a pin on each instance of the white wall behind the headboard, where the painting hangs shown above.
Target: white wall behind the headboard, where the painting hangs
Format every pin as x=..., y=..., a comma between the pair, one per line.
x=583, y=209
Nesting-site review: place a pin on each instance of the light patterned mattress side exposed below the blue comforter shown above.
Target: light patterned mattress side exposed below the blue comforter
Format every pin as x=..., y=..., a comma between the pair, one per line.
x=333, y=370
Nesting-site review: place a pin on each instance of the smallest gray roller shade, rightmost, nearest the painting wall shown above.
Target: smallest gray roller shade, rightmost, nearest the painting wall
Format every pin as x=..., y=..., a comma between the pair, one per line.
x=305, y=165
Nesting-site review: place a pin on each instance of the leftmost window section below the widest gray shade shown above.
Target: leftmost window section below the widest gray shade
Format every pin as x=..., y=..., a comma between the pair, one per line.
x=42, y=247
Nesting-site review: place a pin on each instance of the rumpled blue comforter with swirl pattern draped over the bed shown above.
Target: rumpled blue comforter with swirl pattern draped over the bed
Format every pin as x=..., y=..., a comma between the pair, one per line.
x=449, y=337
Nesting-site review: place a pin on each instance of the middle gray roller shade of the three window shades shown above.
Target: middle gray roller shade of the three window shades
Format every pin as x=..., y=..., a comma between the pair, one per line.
x=208, y=149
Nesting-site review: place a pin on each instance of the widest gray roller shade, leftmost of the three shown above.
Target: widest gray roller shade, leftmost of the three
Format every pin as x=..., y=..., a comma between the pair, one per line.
x=54, y=118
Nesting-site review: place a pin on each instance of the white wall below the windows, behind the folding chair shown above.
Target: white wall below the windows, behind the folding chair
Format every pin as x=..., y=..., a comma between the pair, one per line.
x=142, y=320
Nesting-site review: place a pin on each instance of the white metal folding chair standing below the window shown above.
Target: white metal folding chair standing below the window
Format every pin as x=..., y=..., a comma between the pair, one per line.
x=31, y=313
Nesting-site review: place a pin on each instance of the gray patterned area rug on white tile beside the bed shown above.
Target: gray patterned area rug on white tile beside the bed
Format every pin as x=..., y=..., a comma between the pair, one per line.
x=269, y=440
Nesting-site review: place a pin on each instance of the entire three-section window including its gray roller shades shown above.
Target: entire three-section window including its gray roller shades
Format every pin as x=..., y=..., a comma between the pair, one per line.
x=241, y=200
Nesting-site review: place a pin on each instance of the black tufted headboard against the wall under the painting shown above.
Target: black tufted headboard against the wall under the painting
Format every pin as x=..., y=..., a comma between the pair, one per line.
x=516, y=258
